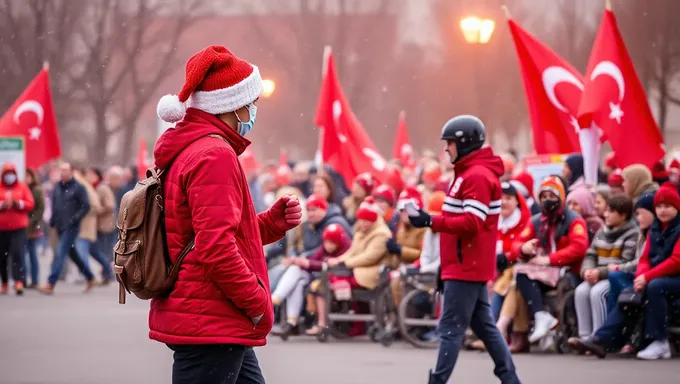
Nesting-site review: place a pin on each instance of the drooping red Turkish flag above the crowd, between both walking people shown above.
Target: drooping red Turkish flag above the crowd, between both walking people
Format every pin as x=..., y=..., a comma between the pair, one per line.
x=345, y=144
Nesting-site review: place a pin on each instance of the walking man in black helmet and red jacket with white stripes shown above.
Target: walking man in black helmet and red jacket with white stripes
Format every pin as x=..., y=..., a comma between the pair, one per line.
x=468, y=226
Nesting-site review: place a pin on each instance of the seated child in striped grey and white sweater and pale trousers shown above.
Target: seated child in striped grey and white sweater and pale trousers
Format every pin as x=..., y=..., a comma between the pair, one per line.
x=613, y=245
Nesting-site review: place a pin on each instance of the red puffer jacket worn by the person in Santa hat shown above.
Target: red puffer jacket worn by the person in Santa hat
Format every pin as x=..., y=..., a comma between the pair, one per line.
x=223, y=282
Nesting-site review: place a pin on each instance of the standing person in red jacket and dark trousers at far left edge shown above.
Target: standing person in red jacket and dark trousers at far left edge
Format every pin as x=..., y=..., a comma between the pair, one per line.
x=16, y=201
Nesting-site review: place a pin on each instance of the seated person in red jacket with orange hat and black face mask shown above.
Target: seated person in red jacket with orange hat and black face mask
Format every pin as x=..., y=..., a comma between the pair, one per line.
x=555, y=238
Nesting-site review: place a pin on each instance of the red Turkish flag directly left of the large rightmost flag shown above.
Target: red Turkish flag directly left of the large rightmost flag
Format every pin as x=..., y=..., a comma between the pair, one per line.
x=553, y=90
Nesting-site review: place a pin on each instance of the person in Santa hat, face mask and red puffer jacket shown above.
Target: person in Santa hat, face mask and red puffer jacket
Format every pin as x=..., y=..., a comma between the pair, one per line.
x=221, y=305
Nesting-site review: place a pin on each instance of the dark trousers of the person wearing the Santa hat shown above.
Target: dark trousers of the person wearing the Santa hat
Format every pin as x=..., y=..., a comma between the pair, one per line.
x=215, y=364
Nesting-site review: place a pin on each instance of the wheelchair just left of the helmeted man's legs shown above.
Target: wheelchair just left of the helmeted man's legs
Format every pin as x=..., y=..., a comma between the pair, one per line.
x=419, y=309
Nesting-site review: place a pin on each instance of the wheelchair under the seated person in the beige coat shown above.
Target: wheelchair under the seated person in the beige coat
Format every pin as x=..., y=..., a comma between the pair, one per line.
x=340, y=314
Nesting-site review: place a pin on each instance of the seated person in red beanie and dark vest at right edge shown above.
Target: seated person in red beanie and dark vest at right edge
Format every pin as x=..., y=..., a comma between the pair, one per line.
x=657, y=281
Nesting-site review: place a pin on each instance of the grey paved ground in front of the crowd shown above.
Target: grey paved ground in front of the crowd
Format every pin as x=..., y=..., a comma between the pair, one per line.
x=90, y=339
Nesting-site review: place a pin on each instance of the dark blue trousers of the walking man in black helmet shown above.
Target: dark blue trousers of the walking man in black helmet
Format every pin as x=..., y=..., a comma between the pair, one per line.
x=467, y=304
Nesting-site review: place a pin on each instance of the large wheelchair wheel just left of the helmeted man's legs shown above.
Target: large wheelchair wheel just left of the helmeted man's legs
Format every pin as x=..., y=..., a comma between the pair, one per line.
x=413, y=324
